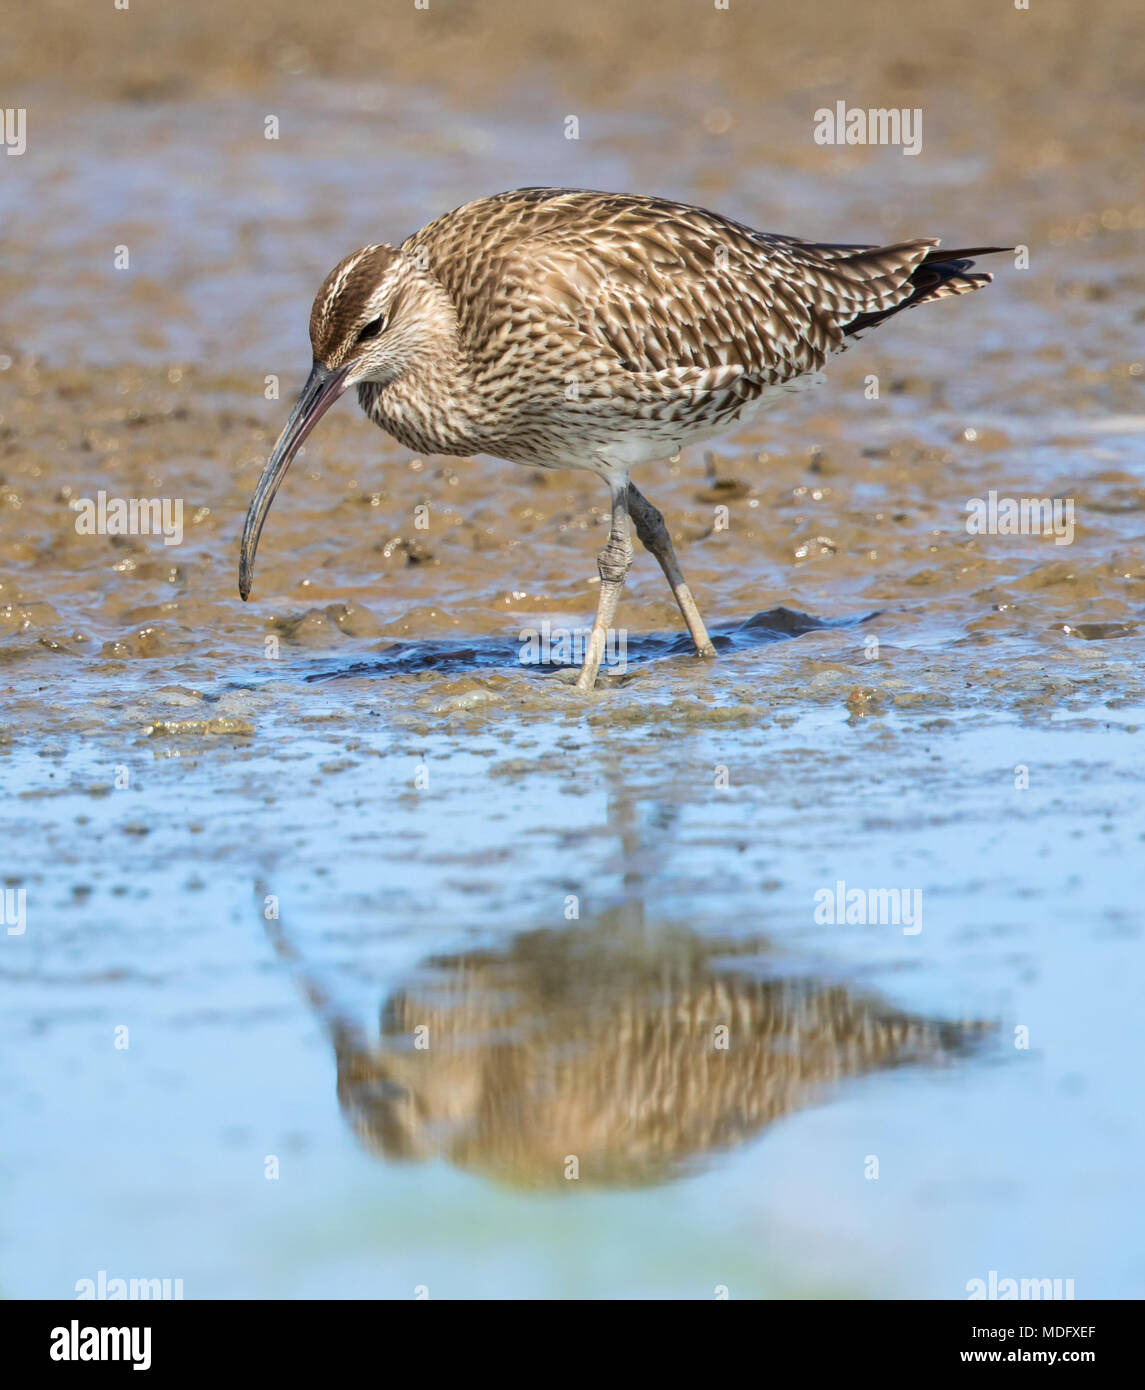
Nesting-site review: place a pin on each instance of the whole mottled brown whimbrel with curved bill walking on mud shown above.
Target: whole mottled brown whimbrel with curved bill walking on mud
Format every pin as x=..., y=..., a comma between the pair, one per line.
x=577, y=330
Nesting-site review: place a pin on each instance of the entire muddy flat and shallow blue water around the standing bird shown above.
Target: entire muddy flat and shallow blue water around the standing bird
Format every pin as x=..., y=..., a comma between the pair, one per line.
x=276, y=842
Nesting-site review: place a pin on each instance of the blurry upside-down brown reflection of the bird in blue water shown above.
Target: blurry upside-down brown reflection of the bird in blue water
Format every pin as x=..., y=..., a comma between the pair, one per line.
x=613, y=1050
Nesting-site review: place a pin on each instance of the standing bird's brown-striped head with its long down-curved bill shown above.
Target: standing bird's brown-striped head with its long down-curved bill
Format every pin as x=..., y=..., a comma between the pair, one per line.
x=379, y=313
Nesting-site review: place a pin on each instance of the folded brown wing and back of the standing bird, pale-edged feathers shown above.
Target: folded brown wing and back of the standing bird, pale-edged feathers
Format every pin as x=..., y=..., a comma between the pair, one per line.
x=607, y=284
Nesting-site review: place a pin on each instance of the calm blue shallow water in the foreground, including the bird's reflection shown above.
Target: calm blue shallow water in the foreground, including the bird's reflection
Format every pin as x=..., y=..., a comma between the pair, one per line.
x=276, y=906
